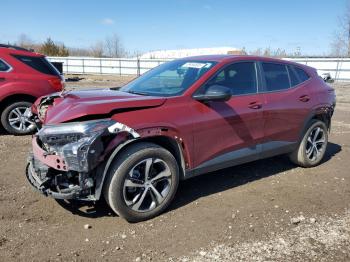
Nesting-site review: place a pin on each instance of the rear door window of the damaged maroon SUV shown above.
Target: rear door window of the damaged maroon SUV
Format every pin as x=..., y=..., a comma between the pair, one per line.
x=276, y=76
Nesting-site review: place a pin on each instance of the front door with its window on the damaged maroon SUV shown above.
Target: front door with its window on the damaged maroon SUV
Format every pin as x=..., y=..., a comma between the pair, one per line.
x=225, y=132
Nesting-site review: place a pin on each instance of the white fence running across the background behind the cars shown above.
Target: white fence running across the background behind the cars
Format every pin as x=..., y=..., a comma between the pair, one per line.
x=339, y=68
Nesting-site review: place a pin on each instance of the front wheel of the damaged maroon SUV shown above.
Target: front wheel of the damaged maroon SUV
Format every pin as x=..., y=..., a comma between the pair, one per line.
x=141, y=182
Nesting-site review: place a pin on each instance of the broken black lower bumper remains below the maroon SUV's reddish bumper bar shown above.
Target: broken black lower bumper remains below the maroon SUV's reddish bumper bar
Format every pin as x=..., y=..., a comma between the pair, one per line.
x=59, y=184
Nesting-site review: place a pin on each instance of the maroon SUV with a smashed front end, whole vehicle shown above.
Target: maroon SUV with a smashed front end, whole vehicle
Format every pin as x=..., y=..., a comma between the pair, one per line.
x=184, y=118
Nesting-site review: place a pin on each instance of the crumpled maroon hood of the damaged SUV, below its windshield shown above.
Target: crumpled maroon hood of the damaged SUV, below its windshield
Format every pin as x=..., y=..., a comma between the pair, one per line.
x=105, y=102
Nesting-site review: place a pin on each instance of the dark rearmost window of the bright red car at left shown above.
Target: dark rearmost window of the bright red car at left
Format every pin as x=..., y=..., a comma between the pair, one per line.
x=39, y=64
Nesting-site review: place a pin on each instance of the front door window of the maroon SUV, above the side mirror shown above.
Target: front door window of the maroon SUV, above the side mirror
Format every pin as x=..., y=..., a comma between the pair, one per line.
x=239, y=77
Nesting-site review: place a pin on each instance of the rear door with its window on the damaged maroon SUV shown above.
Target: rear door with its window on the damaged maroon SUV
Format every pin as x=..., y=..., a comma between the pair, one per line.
x=287, y=103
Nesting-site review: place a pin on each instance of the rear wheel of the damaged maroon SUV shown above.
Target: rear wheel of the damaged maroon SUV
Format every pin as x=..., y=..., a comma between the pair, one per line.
x=313, y=146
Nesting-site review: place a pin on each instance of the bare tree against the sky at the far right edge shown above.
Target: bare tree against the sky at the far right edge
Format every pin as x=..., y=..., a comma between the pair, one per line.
x=340, y=45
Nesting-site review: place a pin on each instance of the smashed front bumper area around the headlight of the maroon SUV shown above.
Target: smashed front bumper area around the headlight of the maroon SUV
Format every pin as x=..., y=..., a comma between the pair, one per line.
x=50, y=173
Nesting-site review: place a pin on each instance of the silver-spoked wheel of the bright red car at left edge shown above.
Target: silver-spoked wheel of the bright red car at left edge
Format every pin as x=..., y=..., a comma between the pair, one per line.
x=13, y=120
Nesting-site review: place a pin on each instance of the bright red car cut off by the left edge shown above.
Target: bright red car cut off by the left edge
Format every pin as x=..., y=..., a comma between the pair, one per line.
x=24, y=76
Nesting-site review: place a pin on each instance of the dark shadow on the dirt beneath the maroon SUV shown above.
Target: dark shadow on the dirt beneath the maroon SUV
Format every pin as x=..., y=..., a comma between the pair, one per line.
x=197, y=187
